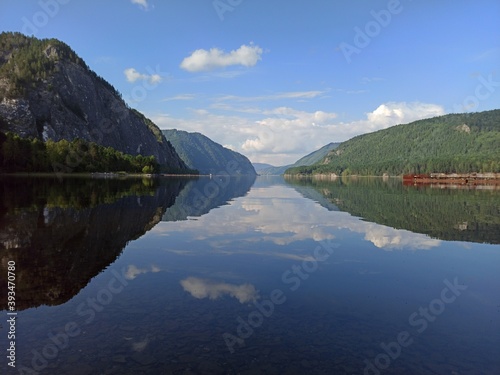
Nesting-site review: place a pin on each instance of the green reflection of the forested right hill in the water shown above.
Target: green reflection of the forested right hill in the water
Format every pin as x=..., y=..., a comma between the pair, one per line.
x=448, y=214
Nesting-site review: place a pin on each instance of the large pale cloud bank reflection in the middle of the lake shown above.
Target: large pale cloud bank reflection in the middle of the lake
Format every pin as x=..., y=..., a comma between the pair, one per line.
x=283, y=217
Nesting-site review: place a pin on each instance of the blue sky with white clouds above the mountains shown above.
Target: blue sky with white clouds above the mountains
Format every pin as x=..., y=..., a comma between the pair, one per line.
x=276, y=80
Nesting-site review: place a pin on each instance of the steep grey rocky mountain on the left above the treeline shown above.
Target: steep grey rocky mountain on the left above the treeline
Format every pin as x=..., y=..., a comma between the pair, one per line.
x=47, y=92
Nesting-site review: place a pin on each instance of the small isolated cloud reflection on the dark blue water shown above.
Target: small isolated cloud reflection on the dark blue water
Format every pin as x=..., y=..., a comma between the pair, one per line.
x=202, y=288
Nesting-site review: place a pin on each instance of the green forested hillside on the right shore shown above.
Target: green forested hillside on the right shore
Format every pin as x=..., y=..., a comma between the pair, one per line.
x=468, y=142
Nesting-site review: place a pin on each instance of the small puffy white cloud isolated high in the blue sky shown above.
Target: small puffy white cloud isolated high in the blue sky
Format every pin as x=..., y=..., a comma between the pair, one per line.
x=206, y=60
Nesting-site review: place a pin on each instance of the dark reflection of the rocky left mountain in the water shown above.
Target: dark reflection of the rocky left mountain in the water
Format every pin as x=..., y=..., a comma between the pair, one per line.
x=63, y=233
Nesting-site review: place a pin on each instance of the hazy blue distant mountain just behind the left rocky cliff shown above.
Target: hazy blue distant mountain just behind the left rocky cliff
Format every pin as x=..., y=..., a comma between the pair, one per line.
x=208, y=157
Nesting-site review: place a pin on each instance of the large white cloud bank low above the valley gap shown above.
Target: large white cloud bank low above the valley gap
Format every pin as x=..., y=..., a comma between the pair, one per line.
x=282, y=135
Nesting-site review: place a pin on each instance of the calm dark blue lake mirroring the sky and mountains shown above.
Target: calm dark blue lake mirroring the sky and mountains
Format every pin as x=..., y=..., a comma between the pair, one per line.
x=249, y=276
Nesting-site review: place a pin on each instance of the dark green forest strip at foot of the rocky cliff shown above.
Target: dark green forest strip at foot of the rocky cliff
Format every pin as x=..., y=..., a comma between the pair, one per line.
x=32, y=155
